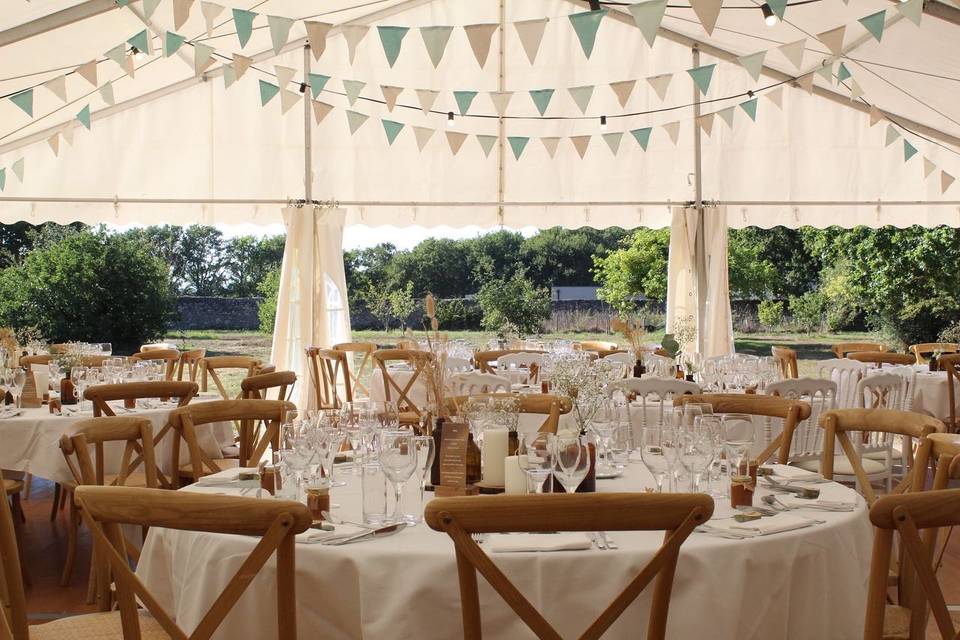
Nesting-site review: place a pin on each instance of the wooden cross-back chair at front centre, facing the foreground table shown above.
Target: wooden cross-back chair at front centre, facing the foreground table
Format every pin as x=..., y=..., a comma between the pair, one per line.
x=677, y=515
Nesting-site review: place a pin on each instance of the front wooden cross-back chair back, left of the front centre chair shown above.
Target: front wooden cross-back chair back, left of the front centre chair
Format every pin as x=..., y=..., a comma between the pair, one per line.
x=274, y=522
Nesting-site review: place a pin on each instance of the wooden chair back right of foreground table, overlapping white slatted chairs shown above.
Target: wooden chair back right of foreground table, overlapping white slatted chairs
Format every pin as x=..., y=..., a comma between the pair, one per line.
x=838, y=424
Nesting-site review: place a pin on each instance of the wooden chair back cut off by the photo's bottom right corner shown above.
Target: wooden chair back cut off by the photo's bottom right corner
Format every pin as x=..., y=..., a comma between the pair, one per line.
x=909, y=515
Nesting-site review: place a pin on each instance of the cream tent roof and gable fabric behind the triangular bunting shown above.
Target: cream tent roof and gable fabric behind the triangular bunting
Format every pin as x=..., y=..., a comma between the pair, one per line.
x=205, y=142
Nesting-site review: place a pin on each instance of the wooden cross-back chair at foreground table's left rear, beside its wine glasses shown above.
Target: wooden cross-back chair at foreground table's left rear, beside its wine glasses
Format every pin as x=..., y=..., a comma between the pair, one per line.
x=259, y=420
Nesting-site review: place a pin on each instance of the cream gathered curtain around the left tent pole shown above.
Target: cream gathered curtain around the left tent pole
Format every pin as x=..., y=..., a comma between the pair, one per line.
x=312, y=307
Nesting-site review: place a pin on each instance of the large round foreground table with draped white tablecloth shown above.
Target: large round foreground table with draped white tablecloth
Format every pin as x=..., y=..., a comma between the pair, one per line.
x=805, y=583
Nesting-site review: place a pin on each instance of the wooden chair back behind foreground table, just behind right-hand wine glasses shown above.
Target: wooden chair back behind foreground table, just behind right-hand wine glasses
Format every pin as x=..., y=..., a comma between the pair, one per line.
x=792, y=412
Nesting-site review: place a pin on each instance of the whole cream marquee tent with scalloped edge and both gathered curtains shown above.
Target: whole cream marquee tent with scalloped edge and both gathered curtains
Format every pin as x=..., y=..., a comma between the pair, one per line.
x=830, y=143
